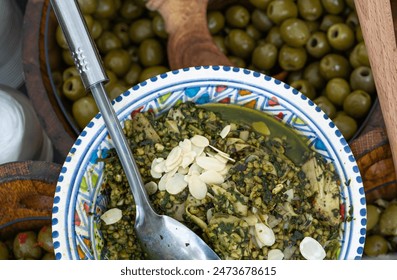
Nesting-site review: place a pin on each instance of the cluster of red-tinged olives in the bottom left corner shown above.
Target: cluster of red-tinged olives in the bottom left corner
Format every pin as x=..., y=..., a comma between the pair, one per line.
x=28, y=245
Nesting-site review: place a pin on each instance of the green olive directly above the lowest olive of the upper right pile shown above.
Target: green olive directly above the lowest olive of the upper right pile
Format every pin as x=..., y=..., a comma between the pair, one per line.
x=357, y=104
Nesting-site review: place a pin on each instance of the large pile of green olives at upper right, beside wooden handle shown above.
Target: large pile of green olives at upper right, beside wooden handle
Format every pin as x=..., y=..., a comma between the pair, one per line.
x=318, y=44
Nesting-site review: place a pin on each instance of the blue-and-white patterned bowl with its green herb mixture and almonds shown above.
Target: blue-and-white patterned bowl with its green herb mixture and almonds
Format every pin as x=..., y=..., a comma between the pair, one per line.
x=93, y=211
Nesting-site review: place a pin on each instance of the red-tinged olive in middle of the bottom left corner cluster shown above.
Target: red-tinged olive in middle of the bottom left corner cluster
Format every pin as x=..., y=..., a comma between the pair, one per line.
x=25, y=246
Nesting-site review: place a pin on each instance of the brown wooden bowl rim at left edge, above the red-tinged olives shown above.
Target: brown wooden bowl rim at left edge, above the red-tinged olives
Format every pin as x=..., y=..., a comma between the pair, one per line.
x=27, y=191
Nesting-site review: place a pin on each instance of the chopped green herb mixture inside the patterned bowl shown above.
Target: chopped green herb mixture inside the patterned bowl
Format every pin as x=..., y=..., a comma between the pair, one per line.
x=265, y=203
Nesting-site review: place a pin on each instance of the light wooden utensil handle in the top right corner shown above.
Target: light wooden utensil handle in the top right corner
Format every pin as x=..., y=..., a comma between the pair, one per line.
x=376, y=21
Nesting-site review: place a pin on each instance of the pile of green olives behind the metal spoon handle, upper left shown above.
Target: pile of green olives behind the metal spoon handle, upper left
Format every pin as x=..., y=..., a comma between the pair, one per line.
x=131, y=41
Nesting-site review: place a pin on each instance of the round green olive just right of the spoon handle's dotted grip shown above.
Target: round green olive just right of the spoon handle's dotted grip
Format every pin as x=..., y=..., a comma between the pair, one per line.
x=118, y=61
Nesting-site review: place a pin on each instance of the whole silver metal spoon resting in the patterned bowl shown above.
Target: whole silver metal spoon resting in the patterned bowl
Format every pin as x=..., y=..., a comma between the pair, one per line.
x=162, y=237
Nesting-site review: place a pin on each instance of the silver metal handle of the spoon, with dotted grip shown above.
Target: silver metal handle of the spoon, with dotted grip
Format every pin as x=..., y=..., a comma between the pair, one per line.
x=92, y=73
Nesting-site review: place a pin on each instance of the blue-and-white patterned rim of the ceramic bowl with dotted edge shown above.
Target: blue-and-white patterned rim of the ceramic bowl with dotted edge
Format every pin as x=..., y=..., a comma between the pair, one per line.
x=78, y=203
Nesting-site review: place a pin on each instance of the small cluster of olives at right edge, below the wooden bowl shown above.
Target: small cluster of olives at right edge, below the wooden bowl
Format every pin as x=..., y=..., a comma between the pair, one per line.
x=381, y=228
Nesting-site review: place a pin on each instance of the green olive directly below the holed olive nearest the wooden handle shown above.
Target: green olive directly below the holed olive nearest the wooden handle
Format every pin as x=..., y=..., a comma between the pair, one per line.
x=334, y=66
